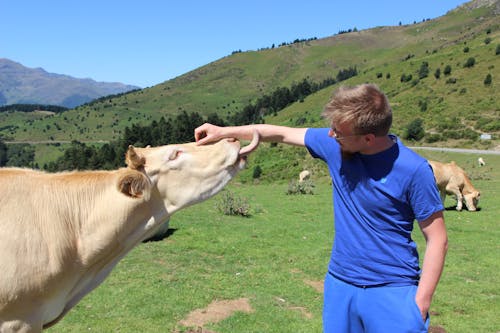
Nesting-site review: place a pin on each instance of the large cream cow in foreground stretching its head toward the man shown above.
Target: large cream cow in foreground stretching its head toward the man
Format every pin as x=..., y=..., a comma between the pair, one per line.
x=61, y=234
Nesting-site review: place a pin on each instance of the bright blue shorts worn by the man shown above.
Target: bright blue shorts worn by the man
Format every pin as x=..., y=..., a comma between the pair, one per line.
x=351, y=309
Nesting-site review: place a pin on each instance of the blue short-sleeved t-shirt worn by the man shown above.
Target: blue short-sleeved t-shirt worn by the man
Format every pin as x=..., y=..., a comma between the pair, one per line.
x=376, y=200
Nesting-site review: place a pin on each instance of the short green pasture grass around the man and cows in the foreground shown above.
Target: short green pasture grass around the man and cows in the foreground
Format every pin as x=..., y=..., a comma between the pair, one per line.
x=269, y=257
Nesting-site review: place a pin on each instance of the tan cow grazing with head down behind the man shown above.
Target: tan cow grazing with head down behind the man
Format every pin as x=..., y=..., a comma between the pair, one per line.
x=451, y=179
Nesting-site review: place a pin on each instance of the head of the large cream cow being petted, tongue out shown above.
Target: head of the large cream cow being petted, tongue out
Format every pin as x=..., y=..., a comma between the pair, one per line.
x=184, y=174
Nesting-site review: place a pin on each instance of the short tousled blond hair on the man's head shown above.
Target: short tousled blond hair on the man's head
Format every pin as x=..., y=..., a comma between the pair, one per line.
x=364, y=106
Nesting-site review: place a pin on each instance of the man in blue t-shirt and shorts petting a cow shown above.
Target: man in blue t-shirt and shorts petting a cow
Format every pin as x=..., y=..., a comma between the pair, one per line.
x=374, y=282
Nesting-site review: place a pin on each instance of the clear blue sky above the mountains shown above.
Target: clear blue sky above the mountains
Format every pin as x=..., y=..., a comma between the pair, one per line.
x=147, y=42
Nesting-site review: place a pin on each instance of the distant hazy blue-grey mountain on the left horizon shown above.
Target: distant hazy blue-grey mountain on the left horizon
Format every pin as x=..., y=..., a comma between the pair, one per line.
x=23, y=85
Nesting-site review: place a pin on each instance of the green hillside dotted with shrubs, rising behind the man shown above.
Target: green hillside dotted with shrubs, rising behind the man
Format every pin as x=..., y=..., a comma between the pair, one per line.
x=455, y=108
